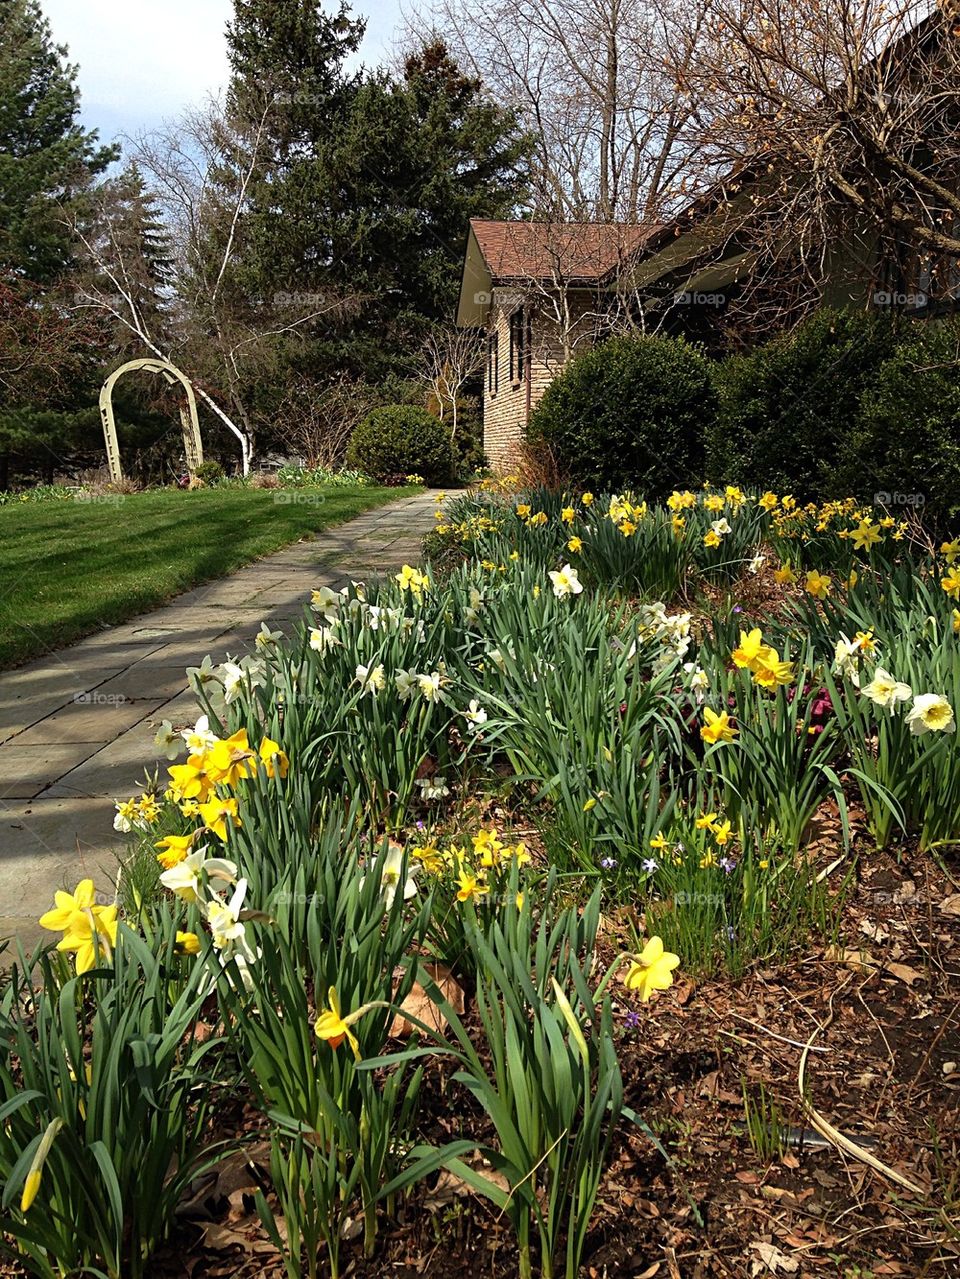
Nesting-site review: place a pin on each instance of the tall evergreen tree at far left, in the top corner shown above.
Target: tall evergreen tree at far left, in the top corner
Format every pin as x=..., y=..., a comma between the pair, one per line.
x=47, y=158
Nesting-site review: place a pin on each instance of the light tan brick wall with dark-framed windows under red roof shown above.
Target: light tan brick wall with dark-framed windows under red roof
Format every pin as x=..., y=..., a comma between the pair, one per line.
x=508, y=407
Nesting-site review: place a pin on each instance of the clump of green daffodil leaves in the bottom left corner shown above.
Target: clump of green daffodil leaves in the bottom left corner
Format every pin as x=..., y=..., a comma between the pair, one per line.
x=108, y=1066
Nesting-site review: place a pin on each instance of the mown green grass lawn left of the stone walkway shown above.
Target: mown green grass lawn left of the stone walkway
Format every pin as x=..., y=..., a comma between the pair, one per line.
x=71, y=567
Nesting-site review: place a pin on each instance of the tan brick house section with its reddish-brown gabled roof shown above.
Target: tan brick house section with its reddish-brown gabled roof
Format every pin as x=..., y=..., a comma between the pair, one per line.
x=541, y=292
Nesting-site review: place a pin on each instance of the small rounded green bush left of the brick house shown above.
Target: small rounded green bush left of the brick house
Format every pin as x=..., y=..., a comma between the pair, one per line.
x=399, y=441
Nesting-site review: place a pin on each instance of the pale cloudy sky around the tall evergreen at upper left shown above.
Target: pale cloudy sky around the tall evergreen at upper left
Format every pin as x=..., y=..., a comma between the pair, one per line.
x=141, y=62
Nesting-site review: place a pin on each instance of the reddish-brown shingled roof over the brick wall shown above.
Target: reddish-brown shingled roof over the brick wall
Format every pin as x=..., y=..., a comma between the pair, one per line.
x=569, y=251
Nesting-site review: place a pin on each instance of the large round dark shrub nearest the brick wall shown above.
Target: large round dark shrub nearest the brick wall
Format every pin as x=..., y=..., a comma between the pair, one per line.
x=631, y=414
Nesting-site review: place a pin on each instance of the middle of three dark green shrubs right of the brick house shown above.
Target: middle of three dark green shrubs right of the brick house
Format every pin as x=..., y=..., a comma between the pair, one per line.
x=787, y=410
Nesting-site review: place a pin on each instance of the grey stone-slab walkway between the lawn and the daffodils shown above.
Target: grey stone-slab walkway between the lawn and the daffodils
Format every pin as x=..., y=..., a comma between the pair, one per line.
x=77, y=728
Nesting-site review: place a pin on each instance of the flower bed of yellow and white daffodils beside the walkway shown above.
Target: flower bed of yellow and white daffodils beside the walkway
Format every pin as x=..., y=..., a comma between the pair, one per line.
x=416, y=877
